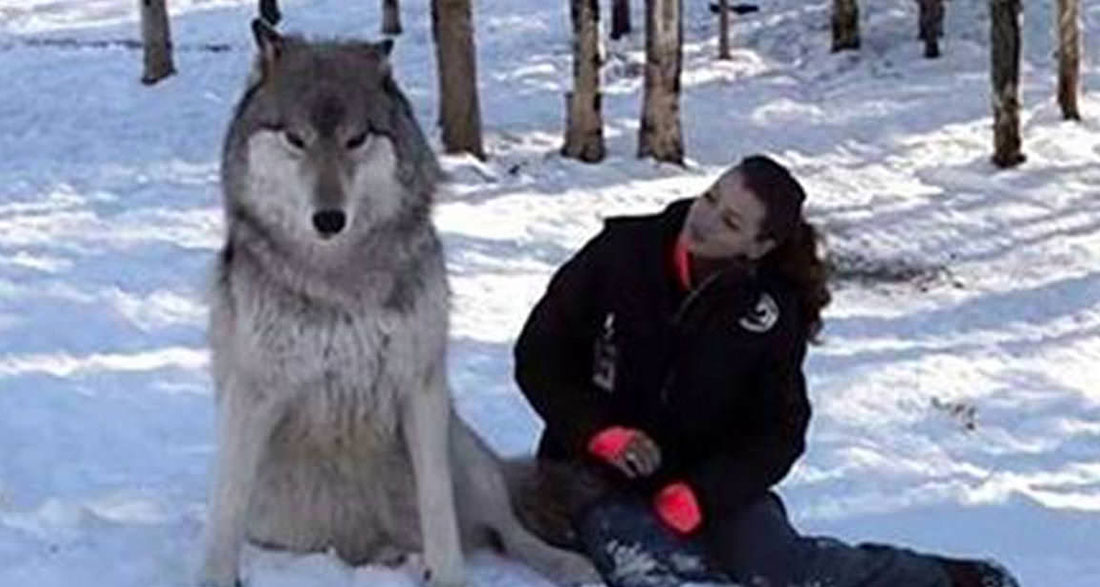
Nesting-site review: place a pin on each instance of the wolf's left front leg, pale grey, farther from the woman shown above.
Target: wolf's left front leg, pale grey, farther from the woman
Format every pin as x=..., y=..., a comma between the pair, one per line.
x=245, y=429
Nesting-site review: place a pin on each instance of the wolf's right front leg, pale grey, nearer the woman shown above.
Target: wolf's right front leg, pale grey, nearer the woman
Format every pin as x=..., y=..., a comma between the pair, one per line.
x=426, y=420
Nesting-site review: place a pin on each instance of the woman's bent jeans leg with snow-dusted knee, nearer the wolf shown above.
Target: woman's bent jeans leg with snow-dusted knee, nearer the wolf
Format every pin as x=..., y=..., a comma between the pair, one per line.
x=631, y=548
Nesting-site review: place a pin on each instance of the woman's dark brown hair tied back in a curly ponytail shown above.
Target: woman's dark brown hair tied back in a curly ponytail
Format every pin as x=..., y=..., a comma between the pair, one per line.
x=796, y=257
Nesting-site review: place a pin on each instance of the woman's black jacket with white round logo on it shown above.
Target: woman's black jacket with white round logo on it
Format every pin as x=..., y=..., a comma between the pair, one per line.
x=713, y=376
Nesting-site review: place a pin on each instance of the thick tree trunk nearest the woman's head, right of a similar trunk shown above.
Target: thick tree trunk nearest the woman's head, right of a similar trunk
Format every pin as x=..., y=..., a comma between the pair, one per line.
x=661, y=136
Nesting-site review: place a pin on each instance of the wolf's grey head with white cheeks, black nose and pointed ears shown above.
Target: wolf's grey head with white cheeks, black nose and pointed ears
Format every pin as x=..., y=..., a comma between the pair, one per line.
x=324, y=149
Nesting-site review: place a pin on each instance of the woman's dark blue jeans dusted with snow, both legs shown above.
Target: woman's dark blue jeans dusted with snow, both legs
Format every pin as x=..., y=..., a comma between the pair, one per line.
x=755, y=548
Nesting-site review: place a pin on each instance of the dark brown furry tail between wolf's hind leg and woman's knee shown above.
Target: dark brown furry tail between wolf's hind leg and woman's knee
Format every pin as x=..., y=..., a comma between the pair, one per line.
x=547, y=497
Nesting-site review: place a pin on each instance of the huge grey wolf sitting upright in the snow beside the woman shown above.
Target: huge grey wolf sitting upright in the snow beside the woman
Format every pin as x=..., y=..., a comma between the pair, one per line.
x=328, y=334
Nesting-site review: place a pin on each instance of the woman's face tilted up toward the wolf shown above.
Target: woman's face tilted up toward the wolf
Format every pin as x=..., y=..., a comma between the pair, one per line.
x=725, y=221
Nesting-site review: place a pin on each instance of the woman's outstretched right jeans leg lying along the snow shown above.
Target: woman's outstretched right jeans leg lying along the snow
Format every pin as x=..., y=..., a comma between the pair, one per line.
x=758, y=547
